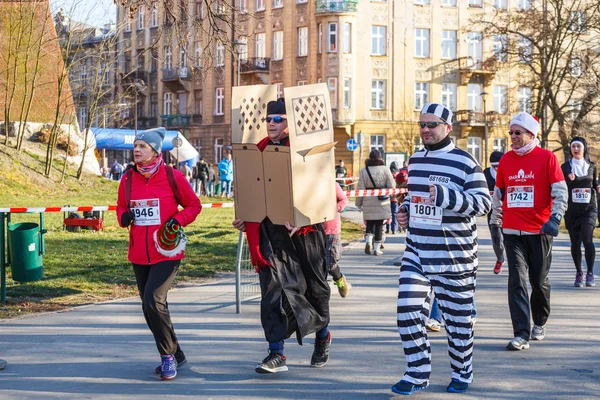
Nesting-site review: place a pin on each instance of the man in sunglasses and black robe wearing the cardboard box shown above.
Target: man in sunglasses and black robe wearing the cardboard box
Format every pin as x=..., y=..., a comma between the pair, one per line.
x=292, y=269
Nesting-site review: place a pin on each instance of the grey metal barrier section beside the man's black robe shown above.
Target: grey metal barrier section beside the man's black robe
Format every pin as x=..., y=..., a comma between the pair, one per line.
x=247, y=286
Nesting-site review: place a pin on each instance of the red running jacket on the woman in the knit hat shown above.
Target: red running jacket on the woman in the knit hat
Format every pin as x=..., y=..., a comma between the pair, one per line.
x=142, y=249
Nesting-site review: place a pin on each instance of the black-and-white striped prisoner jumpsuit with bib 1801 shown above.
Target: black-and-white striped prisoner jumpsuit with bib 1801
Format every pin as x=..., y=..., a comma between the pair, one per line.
x=440, y=257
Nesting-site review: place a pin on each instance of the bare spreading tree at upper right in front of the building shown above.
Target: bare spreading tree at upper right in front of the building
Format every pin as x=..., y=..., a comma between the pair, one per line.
x=553, y=46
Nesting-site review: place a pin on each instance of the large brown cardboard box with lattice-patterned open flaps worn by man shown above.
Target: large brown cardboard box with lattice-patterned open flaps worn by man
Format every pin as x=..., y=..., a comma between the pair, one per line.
x=294, y=183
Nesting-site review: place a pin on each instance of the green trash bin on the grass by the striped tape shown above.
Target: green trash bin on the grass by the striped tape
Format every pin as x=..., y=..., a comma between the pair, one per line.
x=25, y=243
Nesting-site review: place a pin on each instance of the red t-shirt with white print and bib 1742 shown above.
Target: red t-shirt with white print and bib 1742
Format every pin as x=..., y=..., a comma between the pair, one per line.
x=527, y=180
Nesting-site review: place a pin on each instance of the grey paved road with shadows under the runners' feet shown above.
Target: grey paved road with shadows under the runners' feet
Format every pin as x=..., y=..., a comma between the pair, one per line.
x=105, y=351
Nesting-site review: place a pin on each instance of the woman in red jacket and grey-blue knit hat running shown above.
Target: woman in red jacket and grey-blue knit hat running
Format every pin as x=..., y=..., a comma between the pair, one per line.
x=149, y=195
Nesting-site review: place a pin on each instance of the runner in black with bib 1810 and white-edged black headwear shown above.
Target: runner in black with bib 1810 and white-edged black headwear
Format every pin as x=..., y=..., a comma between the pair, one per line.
x=580, y=218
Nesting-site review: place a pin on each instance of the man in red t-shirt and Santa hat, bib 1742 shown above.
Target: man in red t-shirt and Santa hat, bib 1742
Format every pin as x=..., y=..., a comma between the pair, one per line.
x=529, y=201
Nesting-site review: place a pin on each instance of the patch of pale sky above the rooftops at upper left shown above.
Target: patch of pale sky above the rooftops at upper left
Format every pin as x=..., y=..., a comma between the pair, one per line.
x=92, y=12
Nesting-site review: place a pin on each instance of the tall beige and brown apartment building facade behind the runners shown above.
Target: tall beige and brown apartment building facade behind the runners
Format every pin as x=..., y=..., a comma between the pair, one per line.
x=382, y=61
